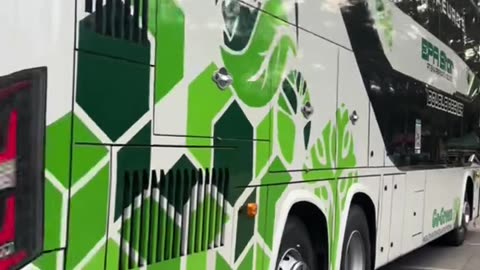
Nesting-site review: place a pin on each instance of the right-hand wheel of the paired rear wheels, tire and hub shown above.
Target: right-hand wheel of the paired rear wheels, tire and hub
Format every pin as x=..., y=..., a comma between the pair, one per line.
x=356, y=243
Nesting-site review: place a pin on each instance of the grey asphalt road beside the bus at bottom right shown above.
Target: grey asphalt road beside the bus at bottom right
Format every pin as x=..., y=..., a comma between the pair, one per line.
x=437, y=257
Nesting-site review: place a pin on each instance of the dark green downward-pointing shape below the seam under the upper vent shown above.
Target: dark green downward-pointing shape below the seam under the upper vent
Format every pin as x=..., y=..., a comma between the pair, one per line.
x=105, y=96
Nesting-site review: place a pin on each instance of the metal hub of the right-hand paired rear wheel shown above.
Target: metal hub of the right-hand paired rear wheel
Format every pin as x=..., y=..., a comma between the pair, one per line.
x=355, y=256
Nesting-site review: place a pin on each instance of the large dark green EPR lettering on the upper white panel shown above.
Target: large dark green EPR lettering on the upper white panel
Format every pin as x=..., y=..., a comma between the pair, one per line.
x=437, y=60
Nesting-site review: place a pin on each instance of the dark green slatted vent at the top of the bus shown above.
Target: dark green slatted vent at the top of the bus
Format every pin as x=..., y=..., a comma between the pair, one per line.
x=127, y=20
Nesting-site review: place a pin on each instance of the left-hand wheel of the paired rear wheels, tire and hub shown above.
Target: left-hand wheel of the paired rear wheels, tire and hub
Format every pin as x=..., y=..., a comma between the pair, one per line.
x=296, y=250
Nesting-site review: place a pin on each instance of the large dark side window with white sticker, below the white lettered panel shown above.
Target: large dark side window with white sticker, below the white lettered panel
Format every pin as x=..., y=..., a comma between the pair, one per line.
x=420, y=125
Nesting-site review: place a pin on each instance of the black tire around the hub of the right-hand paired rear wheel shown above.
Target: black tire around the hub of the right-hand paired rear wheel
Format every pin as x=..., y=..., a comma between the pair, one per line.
x=357, y=222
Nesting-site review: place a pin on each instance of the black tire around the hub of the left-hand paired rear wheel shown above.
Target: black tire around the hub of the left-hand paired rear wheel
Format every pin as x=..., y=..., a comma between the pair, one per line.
x=295, y=235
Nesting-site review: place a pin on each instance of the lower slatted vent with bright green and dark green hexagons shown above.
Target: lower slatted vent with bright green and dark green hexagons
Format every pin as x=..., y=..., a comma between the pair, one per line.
x=176, y=213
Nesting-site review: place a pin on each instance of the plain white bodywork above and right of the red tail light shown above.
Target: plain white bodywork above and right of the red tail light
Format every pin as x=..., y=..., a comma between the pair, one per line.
x=45, y=39
